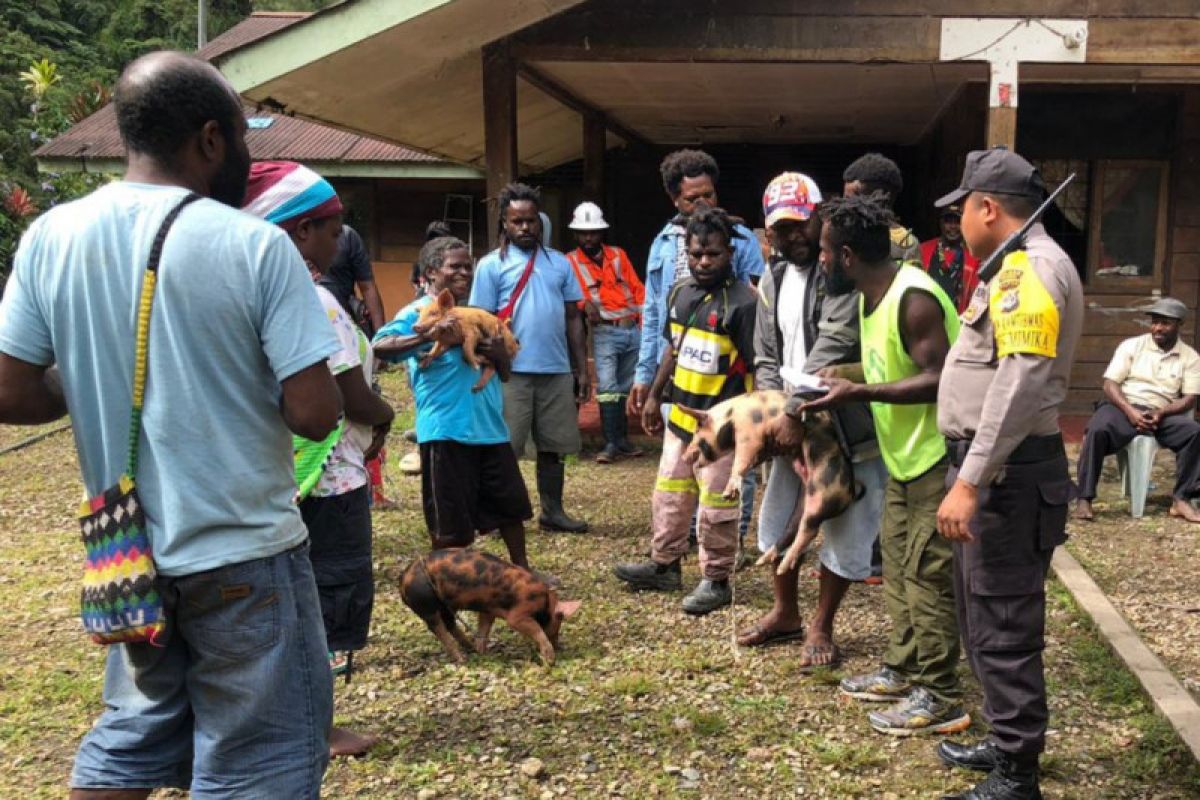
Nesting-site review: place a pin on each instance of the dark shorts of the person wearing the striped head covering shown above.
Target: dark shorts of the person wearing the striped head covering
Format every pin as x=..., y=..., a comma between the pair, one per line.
x=340, y=534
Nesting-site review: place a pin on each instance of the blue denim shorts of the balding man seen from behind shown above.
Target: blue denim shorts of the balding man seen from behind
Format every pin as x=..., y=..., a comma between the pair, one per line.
x=239, y=702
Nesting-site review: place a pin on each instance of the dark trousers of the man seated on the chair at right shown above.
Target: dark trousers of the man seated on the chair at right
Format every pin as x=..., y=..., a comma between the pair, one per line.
x=1109, y=431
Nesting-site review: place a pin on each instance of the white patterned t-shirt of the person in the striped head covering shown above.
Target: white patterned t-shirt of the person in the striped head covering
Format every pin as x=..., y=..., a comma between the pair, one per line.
x=346, y=470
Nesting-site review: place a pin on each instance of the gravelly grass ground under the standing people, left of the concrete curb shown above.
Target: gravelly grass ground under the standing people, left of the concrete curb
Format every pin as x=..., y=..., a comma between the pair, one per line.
x=644, y=703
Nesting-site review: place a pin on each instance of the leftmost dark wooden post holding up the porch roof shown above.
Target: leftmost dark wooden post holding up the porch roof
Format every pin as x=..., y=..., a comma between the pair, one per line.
x=500, y=127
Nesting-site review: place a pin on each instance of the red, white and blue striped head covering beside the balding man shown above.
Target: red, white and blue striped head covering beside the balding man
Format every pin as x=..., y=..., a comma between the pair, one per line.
x=284, y=193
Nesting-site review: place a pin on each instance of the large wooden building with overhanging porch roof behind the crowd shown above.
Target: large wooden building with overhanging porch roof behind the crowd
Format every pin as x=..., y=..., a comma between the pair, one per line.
x=585, y=97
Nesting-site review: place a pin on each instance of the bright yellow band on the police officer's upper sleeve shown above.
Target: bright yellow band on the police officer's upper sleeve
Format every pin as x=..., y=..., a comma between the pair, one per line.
x=1023, y=312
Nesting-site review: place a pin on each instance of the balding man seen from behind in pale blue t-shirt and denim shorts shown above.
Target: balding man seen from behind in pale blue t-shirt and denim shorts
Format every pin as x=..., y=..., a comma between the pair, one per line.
x=237, y=701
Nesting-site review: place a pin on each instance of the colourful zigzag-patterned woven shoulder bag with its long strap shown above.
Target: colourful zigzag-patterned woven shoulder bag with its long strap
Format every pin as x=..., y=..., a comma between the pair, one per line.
x=121, y=600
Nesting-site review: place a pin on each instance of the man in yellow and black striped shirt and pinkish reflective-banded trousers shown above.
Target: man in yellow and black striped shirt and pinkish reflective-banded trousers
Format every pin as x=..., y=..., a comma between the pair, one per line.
x=709, y=359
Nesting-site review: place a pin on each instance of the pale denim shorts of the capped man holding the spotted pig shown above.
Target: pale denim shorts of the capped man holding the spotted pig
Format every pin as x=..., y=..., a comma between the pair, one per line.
x=847, y=540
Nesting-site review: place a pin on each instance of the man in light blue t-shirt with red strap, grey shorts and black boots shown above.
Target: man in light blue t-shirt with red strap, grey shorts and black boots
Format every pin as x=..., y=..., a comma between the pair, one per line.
x=537, y=287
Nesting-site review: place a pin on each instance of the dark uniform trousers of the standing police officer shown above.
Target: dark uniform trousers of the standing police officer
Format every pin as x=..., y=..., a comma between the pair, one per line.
x=1000, y=586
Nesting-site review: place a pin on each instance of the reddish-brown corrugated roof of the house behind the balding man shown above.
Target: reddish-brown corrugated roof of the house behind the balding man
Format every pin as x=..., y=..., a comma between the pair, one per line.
x=285, y=139
